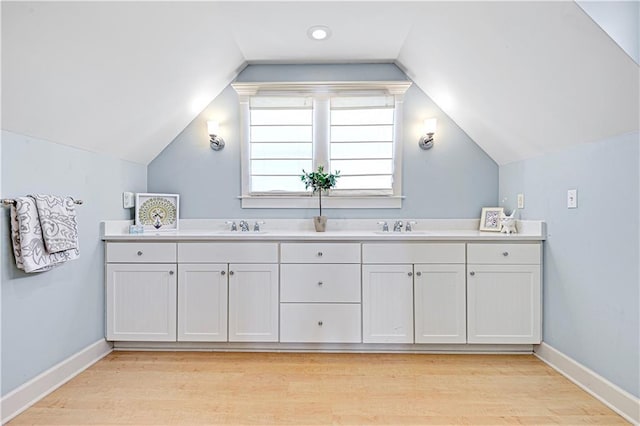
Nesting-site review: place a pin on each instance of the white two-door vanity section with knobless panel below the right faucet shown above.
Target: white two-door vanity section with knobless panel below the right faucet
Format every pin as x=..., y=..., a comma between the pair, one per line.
x=413, y=292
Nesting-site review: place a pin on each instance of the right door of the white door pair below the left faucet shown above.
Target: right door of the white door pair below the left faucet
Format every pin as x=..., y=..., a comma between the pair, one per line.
x=253, y=303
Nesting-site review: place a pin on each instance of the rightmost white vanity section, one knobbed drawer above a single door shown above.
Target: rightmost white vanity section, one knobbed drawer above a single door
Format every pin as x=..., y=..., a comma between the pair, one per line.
x=504, y=293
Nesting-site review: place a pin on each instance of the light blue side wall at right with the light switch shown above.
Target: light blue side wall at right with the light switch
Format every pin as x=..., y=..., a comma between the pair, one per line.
x=591, y=276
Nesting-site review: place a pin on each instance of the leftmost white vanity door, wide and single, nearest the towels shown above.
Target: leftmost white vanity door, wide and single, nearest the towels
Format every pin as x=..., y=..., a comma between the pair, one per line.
x=141, y=302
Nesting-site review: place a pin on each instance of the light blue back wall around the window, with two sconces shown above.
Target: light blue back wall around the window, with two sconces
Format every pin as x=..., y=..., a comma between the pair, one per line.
x=452, y=180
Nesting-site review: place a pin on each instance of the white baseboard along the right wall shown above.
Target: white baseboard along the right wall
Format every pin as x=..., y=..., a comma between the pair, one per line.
x=619, y=400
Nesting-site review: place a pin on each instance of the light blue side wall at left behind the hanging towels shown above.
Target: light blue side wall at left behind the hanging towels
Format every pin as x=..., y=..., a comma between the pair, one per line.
x=50, y=316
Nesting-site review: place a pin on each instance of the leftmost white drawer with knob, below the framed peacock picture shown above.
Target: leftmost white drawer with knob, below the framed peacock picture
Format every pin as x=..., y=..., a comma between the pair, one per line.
x=141, y=252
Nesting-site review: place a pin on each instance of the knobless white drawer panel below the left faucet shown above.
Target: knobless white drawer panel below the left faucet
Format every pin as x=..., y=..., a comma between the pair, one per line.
x=228, y=252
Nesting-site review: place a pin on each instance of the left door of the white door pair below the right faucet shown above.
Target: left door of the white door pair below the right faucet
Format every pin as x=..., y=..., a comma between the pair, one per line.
x=387, y=303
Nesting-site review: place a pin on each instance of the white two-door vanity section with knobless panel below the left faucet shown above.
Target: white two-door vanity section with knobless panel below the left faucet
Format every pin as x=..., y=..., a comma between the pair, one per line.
x=234, y=281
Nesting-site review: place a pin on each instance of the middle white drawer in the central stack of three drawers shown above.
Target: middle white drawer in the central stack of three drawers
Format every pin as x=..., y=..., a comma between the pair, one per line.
x=320, y=283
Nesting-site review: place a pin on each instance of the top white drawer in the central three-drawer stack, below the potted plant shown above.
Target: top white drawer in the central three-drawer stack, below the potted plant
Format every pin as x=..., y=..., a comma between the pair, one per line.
x=320, y=253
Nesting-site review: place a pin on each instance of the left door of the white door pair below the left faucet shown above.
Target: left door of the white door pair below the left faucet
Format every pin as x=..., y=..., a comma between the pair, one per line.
x=202, y=302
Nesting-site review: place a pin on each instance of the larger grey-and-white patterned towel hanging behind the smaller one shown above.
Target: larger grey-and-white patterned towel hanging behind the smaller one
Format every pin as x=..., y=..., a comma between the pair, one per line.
x=28, y=245
